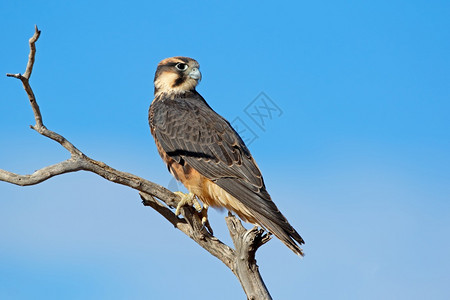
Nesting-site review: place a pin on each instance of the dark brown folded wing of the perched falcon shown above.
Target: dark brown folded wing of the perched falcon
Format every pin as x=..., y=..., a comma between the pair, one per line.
x=191, y=133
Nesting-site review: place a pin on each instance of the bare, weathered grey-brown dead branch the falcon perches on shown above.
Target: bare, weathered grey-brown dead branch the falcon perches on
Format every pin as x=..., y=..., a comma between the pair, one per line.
x=241, y=260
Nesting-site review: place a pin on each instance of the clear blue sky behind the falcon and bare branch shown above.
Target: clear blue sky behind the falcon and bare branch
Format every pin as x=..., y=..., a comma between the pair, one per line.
x=358, y=160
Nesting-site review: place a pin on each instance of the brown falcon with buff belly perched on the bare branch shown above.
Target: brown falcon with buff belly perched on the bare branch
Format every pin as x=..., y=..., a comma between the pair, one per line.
x=207, y=155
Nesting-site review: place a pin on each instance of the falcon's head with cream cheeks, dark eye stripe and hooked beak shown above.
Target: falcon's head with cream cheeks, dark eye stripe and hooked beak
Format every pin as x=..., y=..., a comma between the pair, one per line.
x=177, y=75
